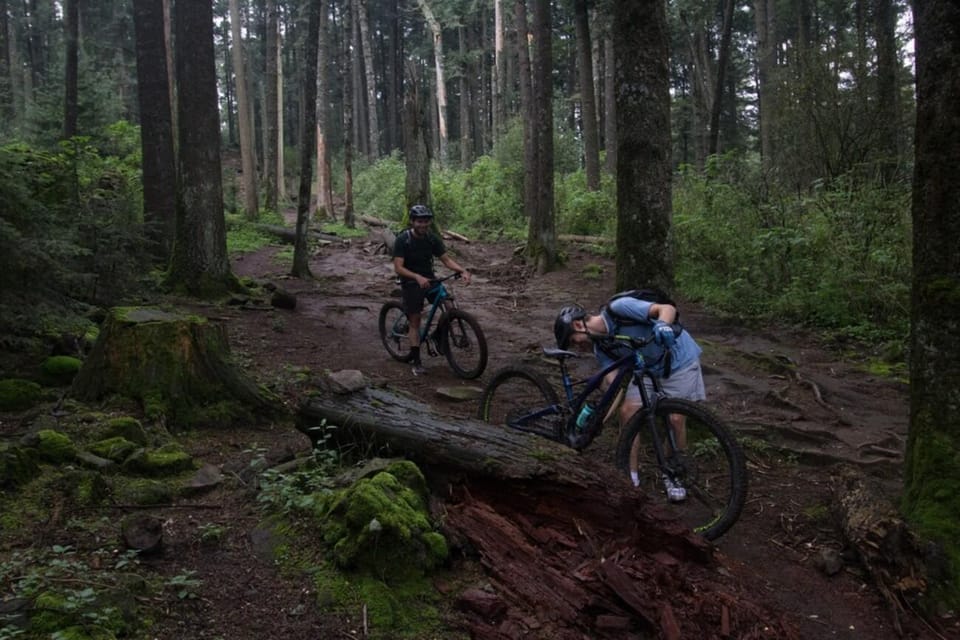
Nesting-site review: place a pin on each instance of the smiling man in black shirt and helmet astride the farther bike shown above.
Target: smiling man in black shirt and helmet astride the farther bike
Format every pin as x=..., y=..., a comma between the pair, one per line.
x=413, y=254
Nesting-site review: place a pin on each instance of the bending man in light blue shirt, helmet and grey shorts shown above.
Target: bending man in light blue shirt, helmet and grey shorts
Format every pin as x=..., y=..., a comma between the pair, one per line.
x=647, y=319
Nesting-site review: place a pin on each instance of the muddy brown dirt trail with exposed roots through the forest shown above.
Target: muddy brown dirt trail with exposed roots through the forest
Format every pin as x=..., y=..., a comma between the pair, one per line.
x=774, y=383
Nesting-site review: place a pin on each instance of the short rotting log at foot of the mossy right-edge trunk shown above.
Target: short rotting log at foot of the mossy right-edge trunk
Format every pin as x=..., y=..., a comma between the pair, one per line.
x=882, y=540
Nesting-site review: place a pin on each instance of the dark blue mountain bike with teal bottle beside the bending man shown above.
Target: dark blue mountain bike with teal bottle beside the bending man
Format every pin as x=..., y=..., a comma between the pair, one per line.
x=711, y=468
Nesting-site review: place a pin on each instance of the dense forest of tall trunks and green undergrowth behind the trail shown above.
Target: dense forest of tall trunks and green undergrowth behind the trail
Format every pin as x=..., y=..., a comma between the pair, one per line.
x=760, y=157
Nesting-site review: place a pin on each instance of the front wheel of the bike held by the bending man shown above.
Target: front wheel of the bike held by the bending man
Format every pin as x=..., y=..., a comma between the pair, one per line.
x=702, y=456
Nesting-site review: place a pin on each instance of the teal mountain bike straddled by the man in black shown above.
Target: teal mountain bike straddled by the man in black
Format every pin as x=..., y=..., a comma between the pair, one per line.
x=457, y=336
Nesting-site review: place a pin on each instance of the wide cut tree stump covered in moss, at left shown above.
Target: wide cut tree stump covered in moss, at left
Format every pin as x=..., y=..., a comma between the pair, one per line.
x=178, y=366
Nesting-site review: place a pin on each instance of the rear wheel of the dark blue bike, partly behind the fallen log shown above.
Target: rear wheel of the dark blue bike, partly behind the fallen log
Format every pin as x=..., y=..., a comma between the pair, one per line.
x=515, y=396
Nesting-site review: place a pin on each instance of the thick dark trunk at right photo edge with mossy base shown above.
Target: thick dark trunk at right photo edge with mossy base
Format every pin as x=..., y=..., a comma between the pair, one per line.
x=932, y=500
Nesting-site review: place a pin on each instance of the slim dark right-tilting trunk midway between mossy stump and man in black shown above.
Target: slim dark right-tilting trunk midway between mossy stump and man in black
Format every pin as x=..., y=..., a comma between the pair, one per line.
x=301, y=253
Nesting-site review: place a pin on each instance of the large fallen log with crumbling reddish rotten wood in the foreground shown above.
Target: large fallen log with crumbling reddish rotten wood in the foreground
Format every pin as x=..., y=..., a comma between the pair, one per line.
x=568, y=549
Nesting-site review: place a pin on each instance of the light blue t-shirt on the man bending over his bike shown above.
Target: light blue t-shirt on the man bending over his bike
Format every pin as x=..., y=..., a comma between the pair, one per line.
x=685, y=352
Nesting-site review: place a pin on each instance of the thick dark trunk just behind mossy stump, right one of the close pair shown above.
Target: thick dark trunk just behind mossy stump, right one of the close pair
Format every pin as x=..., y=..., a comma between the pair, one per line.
x=199, y=264
